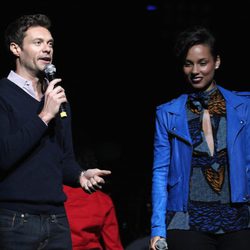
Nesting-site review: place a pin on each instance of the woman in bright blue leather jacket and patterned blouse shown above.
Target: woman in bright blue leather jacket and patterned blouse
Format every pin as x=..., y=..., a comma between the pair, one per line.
x=201, y=169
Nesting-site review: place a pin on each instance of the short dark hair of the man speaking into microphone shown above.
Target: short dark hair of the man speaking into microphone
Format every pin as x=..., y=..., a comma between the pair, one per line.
x=15, y=31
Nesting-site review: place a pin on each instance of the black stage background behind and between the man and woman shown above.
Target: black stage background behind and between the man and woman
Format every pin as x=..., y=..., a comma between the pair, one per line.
x=116, y=61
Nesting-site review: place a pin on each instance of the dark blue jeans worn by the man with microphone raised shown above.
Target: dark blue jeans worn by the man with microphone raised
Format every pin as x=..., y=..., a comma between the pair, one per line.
x=22, y=231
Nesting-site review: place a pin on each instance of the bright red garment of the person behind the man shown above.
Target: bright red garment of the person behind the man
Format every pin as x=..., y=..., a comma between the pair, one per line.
x=92, y=217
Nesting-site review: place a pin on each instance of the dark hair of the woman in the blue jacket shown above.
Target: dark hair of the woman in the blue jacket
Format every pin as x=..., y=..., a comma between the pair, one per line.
x=193, y=36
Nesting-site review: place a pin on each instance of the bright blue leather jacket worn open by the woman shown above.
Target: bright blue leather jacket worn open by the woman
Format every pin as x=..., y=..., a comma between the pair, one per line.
x=173, y=152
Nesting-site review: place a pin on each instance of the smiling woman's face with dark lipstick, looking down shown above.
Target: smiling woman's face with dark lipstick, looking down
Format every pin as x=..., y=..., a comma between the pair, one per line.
x=199, y=67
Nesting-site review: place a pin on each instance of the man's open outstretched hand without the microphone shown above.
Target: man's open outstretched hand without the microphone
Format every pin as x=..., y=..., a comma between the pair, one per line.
x=91, y=179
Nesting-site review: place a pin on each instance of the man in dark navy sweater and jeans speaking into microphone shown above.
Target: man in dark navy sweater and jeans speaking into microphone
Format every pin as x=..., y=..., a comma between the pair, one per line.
x=36, y=152
